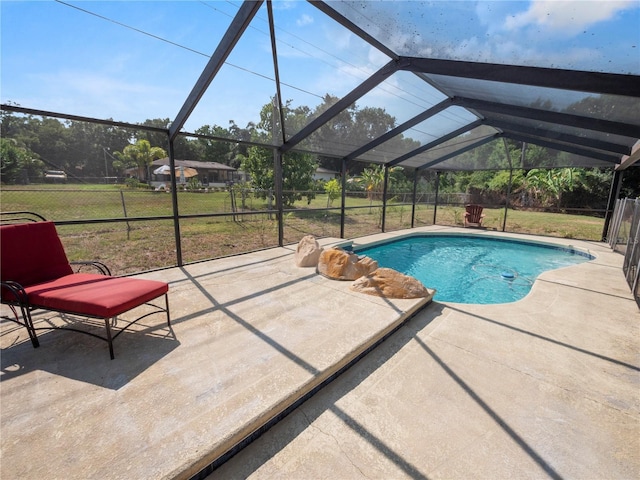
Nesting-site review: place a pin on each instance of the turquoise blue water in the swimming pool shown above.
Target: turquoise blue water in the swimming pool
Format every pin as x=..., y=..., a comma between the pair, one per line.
x=471, y=269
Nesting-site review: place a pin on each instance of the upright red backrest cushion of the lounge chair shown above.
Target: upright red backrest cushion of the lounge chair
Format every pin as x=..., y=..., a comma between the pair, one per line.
x=32, y=253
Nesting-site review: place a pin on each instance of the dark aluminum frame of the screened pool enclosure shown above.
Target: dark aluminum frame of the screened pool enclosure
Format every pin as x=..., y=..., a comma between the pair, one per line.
x=490, y=114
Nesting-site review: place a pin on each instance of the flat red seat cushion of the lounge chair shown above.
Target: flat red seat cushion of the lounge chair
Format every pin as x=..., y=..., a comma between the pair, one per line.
x=94, y=295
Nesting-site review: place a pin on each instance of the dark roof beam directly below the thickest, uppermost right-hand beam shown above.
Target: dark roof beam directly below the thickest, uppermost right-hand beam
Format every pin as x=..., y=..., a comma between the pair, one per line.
x=578, y=121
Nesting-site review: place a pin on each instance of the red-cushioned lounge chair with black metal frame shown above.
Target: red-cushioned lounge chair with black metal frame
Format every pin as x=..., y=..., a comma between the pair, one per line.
x=36, y=274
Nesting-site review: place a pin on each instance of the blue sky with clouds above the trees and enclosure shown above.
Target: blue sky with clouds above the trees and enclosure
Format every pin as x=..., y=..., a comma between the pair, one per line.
x=137, y=60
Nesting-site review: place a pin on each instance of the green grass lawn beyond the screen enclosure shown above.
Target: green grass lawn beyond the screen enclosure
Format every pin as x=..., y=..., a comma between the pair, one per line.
x=136, y=246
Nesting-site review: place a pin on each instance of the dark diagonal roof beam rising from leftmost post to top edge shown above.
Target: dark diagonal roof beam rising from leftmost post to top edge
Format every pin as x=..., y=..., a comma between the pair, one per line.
x=241, y=21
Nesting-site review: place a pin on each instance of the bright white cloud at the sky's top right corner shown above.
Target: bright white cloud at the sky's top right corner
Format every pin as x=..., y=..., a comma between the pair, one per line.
x=568, y=17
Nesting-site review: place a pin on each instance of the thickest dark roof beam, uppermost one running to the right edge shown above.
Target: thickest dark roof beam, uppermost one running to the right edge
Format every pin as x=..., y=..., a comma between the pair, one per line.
x=582, y=81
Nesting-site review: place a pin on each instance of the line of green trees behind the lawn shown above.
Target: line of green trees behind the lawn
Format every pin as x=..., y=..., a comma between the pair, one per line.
x=32, y=145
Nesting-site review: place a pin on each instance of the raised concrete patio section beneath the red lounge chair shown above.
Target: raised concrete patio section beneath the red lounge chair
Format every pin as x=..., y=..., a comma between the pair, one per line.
x=254, y=334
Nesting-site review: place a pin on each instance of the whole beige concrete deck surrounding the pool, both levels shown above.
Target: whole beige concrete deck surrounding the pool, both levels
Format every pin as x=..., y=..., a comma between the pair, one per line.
x=545, y=387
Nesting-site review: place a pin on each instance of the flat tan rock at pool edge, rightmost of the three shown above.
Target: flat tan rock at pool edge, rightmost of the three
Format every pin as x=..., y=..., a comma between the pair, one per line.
x=386, y=282
